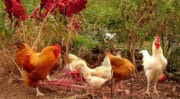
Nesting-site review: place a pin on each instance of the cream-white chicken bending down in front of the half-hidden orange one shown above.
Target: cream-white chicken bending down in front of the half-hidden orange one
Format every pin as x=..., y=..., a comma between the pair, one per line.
x=95, y=77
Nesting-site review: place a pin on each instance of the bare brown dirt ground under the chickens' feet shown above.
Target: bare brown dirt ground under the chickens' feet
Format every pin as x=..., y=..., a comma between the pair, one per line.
x=12, y=88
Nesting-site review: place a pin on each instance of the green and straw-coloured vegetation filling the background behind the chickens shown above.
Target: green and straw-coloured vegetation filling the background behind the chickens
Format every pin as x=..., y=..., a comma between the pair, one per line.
x=136, y=22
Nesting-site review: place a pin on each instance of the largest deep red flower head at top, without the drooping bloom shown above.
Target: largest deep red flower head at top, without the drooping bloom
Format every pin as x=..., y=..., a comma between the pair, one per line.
x=66, y=7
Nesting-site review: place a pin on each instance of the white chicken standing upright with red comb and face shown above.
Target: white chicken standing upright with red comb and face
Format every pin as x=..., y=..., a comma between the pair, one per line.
x=154, y=65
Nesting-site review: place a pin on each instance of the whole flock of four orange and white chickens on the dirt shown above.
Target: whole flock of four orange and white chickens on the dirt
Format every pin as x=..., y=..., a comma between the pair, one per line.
x=35, y=66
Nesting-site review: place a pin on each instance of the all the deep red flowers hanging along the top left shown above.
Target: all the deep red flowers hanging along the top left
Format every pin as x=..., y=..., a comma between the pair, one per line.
x=65, y=7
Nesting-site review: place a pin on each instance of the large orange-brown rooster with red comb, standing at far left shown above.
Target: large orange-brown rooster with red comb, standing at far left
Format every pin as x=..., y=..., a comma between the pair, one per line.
x=36, y=66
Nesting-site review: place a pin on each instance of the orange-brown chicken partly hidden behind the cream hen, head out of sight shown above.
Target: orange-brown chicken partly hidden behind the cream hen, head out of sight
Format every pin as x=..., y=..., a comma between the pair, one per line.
x=122, y=67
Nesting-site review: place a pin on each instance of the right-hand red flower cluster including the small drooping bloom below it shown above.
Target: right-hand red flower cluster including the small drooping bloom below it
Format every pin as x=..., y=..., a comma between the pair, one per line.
x=65, y=7
